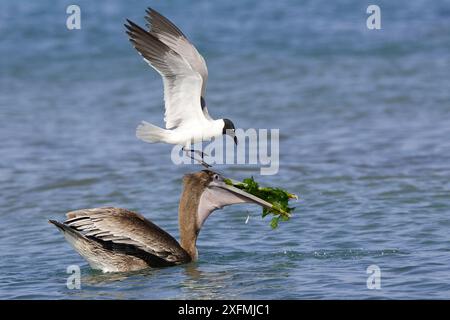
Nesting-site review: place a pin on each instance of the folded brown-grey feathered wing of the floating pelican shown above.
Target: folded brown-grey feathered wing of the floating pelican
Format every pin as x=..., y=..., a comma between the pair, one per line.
x=121, y=228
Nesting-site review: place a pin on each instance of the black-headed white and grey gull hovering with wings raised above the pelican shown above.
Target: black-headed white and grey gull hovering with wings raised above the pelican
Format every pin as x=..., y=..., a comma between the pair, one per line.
x=166, y=49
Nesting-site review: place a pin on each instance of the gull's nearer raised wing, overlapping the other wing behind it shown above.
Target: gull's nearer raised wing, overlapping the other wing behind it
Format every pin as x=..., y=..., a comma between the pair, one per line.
x=182, y=84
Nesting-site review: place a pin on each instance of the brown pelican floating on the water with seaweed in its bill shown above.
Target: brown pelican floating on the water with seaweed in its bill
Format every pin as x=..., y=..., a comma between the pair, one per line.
x=114, y=239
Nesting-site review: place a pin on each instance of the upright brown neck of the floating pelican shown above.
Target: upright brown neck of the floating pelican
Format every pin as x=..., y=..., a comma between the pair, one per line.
x=187, y=219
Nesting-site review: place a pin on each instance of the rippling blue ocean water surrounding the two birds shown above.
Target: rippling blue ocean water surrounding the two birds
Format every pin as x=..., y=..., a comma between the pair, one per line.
x=364, y=119
